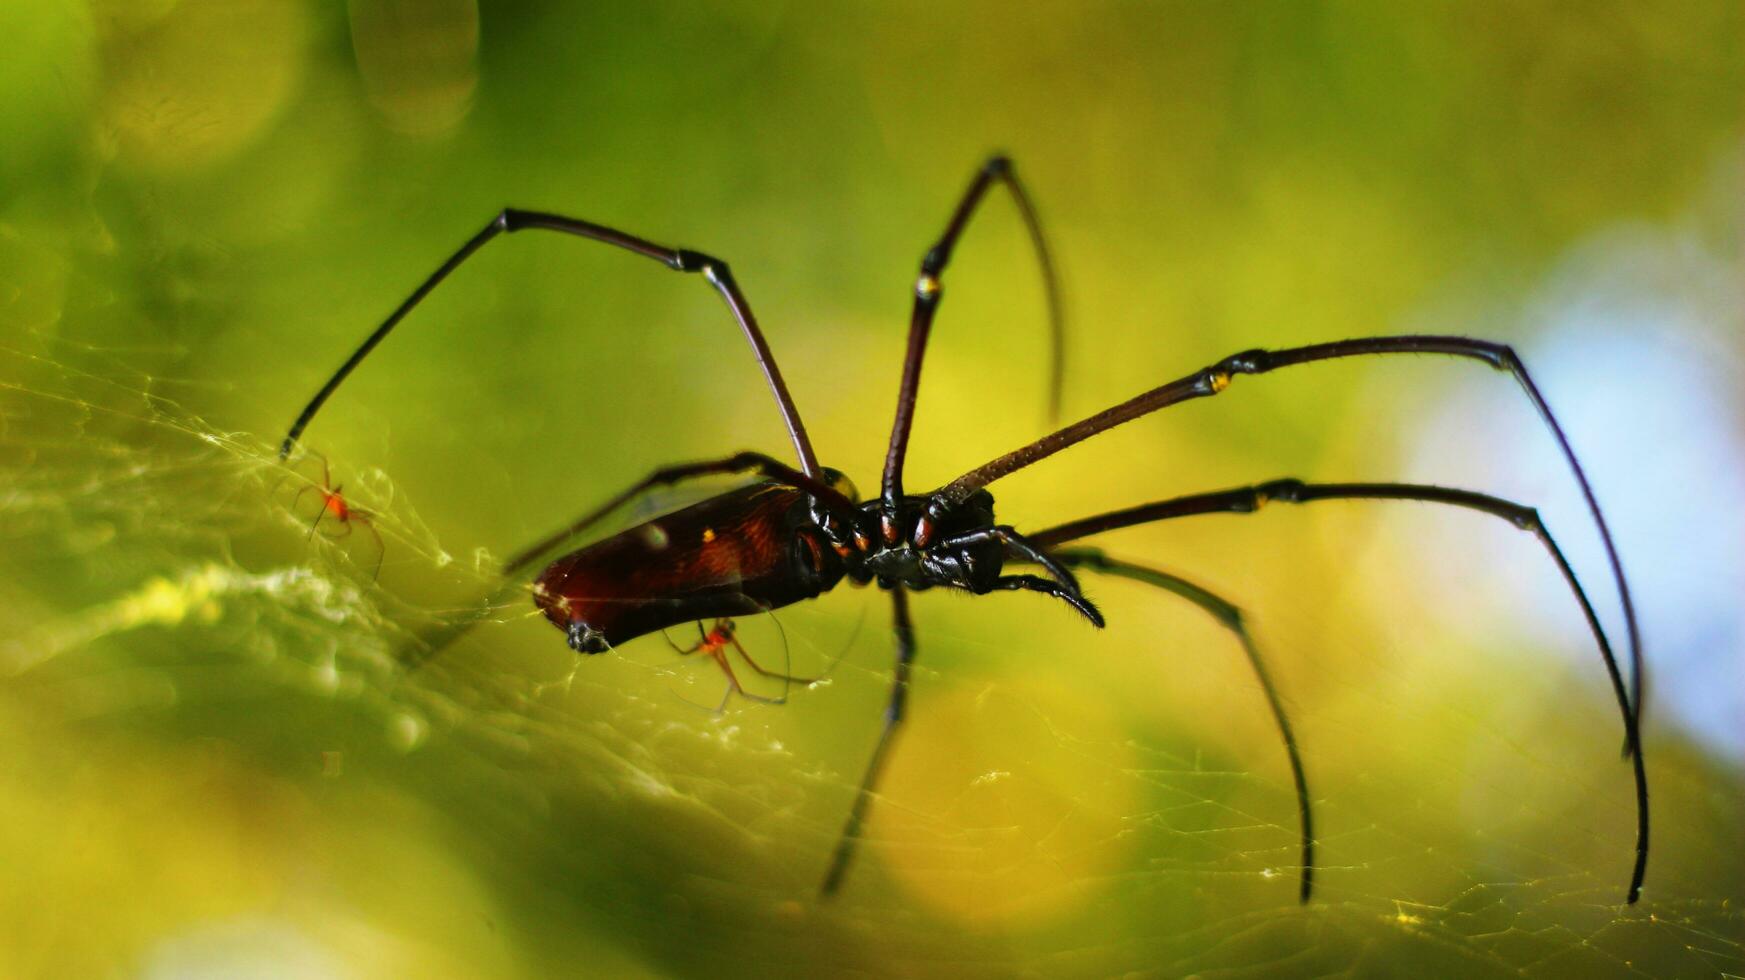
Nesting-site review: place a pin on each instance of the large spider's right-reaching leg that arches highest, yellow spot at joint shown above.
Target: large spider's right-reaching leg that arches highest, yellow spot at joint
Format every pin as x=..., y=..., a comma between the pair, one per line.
x=1217, y=378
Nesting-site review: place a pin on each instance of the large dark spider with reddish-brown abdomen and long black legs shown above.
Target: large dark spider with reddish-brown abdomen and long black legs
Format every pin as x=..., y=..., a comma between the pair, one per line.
x=798, y=531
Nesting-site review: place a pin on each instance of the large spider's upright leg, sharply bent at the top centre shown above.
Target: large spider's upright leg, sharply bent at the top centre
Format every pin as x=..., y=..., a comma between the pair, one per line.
x=927, y=296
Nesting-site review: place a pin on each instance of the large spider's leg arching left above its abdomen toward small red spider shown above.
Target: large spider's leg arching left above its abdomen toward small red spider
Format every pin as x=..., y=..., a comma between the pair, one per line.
x=680, y=261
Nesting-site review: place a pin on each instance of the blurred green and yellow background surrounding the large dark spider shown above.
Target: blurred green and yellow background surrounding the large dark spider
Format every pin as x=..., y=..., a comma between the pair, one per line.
x=214, y=766
